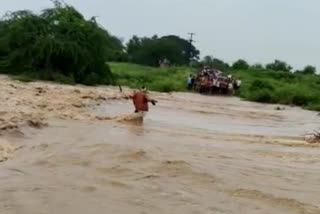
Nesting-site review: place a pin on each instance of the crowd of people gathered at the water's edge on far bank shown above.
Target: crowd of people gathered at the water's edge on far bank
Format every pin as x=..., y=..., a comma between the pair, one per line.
x=211, y=81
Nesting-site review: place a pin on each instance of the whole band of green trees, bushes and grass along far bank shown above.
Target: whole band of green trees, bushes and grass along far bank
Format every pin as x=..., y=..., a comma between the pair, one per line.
x=59, y=44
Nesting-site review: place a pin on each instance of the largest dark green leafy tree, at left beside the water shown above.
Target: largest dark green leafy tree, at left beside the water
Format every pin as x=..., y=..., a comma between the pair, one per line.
x=59, y=41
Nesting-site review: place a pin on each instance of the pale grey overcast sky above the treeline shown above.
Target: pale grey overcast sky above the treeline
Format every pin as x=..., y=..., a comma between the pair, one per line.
x=255, y=30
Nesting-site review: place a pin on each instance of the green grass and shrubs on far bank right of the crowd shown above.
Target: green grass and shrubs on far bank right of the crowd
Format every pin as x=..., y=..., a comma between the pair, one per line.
x=269, y=86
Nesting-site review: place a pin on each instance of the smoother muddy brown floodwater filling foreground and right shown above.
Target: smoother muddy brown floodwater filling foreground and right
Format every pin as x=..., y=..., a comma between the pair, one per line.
x=192, y=154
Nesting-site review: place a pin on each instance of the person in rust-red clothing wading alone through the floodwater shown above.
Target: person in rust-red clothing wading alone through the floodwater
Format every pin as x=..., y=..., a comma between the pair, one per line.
x=141, y=100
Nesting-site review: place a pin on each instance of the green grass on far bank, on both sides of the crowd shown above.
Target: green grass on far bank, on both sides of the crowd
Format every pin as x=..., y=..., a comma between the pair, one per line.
x=264, y=86
